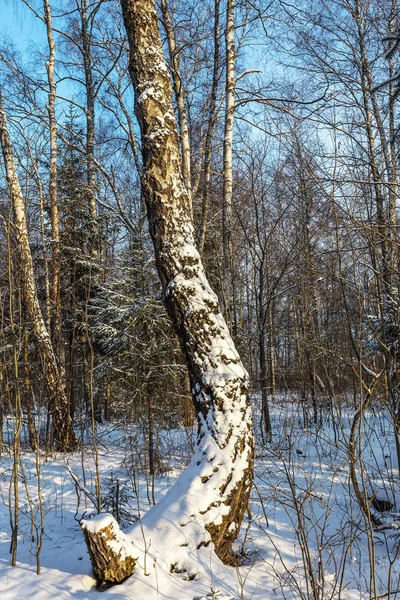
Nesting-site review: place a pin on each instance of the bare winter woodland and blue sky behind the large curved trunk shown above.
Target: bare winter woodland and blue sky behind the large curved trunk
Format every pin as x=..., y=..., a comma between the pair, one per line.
x=288, y=121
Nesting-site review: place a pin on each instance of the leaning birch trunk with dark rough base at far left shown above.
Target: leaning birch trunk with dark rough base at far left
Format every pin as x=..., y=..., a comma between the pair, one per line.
x=63, y=435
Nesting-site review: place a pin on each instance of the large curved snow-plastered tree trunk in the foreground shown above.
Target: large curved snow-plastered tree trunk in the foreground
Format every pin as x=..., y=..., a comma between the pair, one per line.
x=208, y=501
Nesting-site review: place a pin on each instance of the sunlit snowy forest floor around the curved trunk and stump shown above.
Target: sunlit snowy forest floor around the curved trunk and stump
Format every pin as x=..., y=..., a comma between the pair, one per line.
x=304, y=536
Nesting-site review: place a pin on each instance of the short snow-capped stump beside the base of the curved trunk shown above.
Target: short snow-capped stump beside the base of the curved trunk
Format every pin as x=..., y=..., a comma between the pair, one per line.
x=112, y=555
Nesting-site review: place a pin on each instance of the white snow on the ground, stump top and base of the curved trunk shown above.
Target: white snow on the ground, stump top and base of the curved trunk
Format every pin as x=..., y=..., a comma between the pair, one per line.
x=273, y=565
